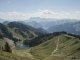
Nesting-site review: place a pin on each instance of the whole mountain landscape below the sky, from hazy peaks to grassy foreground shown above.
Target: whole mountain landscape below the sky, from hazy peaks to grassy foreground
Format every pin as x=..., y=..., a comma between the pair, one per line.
x=40, y=40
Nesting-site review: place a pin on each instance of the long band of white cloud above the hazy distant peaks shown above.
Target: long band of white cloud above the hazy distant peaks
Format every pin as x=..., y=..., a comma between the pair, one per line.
x=41, y=14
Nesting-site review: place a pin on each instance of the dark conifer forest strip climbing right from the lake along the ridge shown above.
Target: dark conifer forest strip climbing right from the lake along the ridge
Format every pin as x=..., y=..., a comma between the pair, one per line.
x=38, y=40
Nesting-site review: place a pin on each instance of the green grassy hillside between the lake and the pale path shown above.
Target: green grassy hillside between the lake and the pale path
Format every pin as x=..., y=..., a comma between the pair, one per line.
x=44, y=49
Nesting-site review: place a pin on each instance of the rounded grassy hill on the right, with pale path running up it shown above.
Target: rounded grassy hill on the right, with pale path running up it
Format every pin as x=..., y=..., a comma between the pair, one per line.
x=69, y=48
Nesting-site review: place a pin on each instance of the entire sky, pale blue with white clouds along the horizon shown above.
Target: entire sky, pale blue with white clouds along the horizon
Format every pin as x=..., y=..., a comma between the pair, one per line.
x=25, y=9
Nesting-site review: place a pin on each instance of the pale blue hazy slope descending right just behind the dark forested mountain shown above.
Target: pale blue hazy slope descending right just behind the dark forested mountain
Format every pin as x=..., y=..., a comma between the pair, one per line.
x=36, y=25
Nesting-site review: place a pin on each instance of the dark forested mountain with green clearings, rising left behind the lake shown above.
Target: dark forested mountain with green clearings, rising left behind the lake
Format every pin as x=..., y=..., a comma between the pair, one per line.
x=16, y=33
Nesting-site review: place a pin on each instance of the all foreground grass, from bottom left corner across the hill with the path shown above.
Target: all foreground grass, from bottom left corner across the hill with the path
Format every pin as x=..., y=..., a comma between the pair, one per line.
x=68, y=49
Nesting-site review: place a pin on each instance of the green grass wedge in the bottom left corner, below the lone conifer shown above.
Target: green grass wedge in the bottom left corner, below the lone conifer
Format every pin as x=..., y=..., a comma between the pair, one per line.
x=10, y=56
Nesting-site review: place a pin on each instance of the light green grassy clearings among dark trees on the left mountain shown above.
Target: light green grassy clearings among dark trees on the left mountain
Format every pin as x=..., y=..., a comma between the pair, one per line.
x=19, y=36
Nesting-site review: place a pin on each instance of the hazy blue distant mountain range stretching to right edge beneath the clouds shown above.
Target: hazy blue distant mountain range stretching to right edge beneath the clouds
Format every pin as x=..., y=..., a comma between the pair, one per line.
x=54, y=25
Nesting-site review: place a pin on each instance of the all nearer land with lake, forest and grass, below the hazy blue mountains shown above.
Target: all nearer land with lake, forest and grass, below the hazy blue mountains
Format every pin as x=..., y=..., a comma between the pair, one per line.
x=19, y=41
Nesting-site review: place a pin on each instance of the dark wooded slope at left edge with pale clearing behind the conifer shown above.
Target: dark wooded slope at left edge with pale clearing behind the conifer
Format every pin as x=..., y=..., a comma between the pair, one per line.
x=6, y=37
